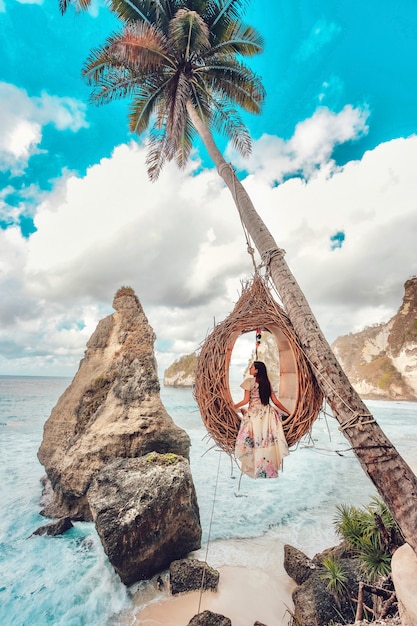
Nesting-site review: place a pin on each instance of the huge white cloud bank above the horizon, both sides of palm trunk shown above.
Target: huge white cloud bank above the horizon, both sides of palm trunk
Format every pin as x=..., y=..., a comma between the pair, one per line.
x=179, y=243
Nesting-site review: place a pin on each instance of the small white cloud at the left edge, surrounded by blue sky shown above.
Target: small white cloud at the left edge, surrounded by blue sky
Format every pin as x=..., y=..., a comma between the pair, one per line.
x=22, y=120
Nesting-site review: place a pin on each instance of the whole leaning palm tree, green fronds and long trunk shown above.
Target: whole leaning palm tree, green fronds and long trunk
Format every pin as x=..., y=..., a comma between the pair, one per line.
x=178, y=62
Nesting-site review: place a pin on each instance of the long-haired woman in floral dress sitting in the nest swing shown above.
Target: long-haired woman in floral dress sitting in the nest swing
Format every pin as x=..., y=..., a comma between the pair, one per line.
x=260, y=444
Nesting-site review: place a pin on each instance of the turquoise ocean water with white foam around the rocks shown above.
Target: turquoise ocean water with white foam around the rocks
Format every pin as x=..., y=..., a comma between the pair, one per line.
x=67, y=580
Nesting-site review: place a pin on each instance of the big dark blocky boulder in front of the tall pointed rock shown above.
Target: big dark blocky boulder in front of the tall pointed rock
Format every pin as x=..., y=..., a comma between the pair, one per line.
x=146, y=513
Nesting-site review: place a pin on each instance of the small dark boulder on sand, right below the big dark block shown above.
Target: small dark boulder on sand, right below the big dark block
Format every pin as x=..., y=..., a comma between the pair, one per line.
x=192, y=575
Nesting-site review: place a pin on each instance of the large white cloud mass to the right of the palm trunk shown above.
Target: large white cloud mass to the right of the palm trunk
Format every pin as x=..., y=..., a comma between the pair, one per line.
x=373, y=202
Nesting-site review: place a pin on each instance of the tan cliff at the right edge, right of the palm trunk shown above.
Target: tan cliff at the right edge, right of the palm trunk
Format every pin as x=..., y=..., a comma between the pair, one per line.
x=381, y=361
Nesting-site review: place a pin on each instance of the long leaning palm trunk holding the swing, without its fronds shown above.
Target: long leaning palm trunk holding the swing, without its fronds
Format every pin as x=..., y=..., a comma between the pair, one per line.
x=392, y=477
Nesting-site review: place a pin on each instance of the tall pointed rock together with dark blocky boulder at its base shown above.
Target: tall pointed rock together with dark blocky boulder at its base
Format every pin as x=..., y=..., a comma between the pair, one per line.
x=109, y=417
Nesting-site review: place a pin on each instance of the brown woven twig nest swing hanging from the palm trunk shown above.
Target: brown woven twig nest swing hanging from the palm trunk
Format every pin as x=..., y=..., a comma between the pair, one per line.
x=298, y=389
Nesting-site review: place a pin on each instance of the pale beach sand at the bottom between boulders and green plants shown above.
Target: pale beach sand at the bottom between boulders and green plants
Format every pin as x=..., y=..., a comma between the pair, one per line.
x=245, y=594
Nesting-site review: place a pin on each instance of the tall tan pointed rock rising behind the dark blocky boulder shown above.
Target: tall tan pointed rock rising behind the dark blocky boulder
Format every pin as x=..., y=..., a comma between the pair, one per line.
x=111, y=410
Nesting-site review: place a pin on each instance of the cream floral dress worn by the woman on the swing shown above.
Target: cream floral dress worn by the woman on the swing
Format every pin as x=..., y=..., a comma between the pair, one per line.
x=260, y=444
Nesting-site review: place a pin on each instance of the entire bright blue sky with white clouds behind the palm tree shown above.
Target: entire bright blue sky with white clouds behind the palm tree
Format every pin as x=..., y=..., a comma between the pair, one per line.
x=333, y=174
